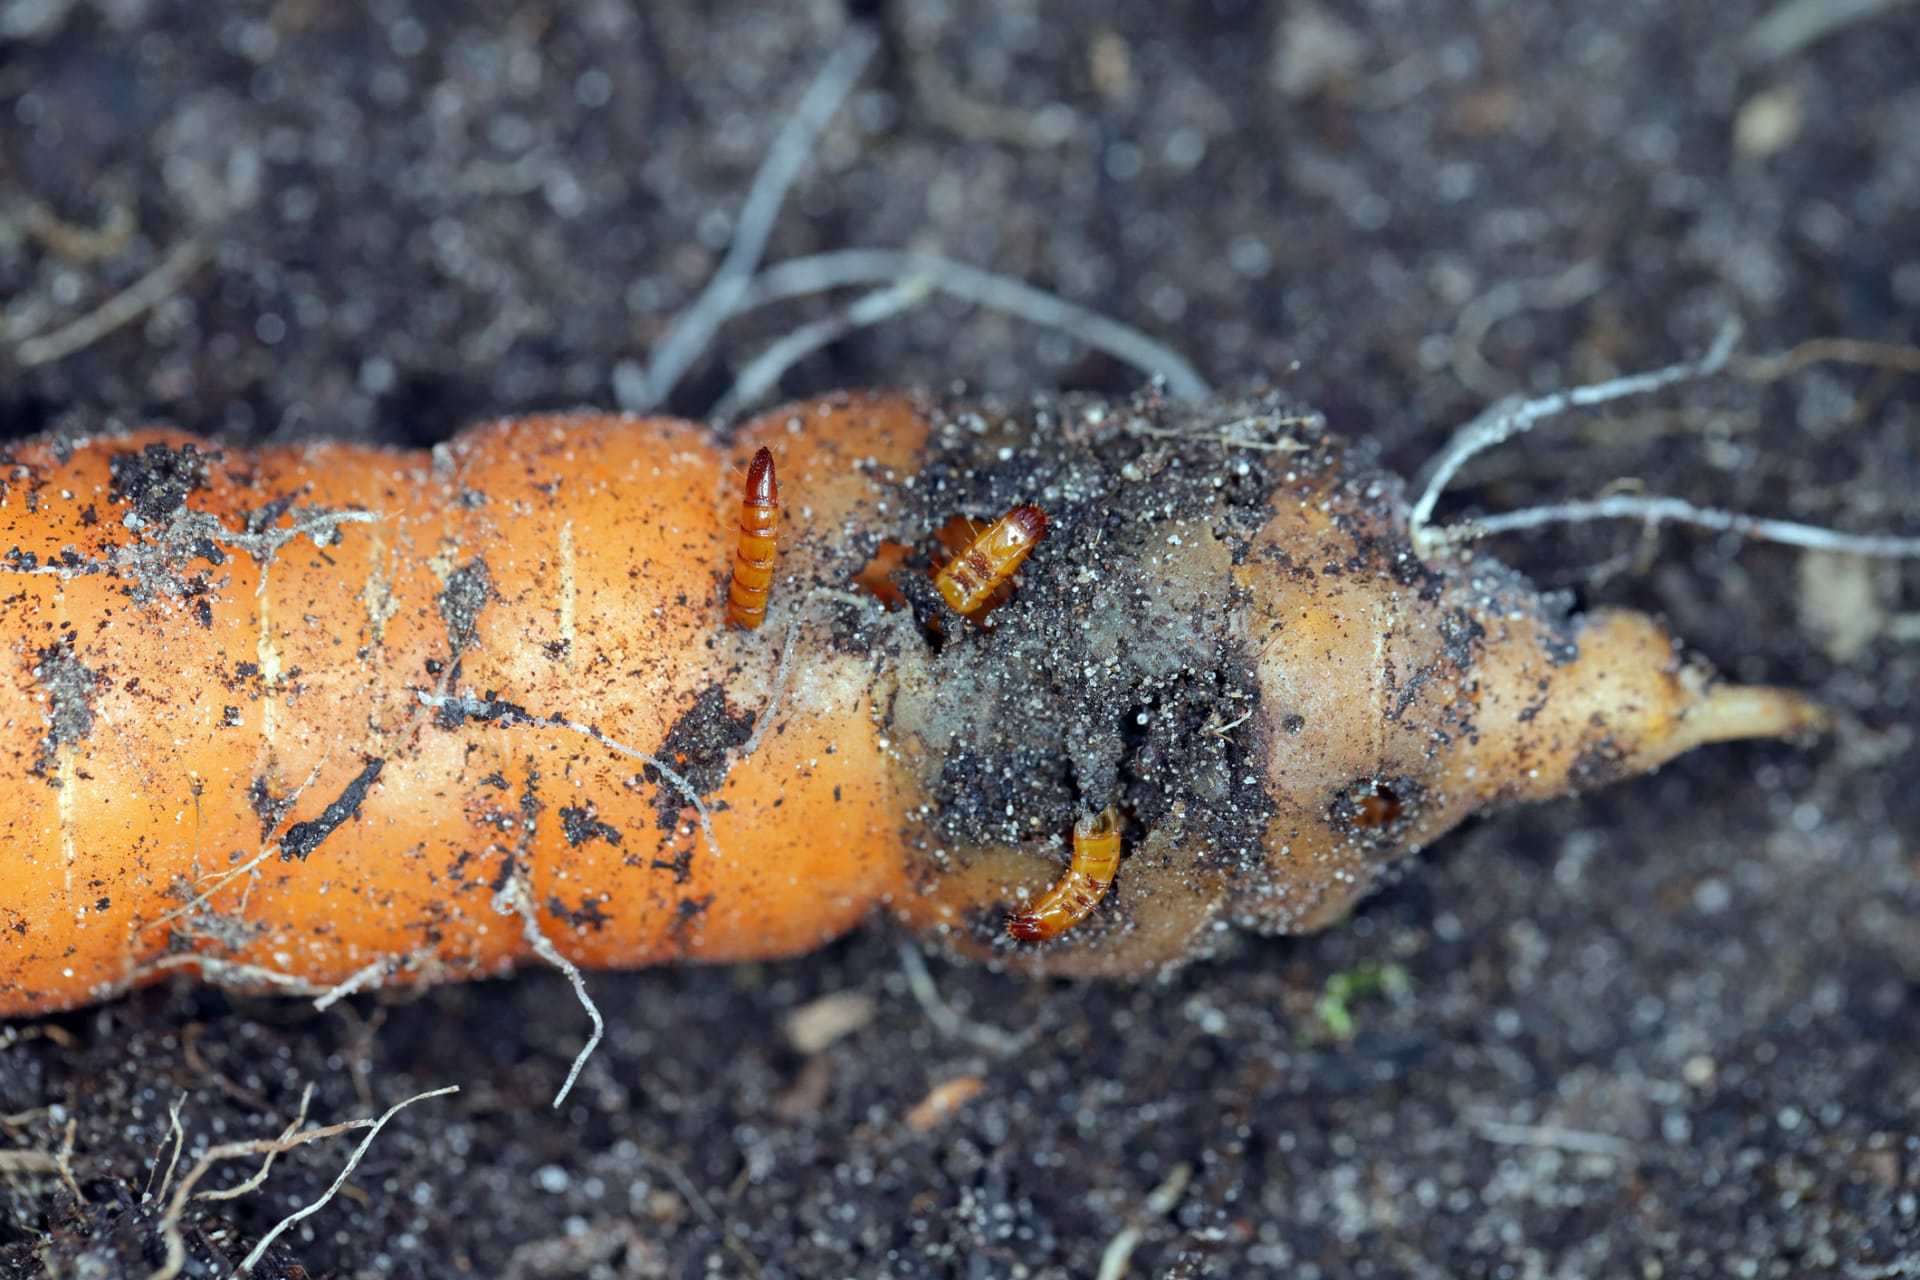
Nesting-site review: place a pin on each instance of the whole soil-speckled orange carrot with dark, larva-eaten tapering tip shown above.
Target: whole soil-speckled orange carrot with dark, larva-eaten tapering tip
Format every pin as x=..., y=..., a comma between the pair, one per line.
x=331, y=717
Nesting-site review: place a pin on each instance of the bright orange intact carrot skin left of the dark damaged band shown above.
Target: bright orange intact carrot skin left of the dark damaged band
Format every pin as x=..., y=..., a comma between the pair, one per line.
x=187, y=717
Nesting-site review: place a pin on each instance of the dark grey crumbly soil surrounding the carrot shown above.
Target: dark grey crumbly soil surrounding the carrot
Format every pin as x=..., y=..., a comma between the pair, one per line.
x=1673, y=1030
